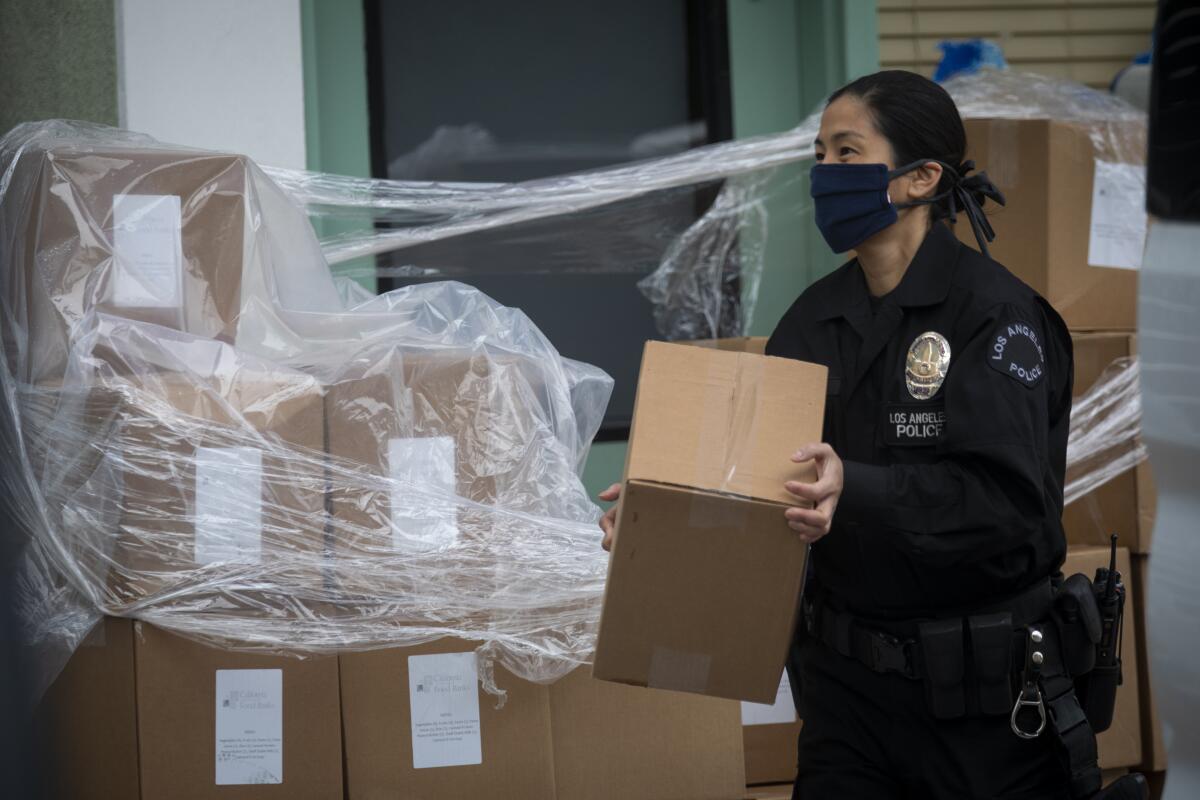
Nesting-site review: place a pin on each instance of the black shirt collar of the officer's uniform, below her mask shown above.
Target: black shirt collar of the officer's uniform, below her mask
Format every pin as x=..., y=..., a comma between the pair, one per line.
x=926, y=282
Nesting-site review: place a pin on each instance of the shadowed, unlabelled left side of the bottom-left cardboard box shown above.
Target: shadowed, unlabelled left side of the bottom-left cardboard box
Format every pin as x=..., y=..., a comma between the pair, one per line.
x=89, y=738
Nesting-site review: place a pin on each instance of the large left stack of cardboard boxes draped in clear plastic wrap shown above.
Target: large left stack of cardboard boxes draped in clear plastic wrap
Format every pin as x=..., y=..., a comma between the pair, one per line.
x=398, y=507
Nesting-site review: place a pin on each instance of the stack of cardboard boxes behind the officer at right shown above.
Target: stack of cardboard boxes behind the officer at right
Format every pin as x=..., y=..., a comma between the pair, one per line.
x=1075, y=230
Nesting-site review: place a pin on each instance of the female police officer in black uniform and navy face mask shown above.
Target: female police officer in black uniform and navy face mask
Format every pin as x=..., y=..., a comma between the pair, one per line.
x=937, y=516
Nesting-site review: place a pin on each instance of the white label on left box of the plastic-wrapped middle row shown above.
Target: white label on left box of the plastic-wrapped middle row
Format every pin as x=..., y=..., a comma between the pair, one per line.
x=229, y=506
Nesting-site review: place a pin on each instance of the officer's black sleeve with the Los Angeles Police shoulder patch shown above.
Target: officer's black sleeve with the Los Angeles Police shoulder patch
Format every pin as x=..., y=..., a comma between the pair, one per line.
x=991, y=482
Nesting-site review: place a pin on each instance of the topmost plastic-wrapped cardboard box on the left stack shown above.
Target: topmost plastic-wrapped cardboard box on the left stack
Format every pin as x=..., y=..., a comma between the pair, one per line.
x=147, y=234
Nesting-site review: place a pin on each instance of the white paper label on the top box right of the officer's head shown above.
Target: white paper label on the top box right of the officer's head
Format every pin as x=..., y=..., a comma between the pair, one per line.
x=1119, y=216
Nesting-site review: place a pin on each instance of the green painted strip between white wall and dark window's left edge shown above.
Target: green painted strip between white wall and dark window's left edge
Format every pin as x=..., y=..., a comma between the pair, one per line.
x=337, y=119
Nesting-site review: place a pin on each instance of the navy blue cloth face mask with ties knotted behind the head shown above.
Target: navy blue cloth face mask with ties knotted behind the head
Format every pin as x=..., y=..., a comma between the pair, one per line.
x=853, y=203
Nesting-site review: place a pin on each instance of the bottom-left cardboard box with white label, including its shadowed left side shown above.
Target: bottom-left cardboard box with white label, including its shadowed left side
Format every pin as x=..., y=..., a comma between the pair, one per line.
x=143, y=714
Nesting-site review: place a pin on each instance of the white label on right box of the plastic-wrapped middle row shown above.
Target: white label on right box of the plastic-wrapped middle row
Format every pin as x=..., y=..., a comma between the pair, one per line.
x=424, y=515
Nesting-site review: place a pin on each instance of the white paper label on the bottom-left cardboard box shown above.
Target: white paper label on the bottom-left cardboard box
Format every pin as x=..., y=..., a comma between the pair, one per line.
x=250, y=726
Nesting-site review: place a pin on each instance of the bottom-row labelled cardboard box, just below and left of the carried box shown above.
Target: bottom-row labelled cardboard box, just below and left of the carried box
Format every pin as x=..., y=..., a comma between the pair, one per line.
x=578, y=739
